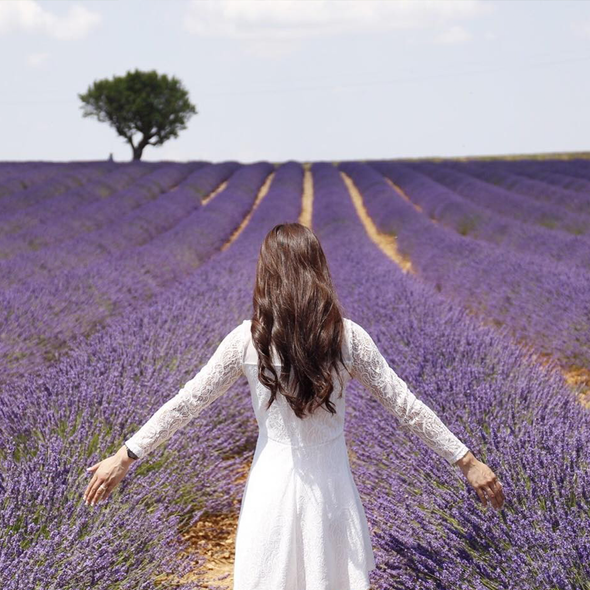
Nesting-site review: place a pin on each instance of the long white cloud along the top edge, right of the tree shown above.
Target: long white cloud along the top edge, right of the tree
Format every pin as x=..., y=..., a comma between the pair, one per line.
x=295, y=19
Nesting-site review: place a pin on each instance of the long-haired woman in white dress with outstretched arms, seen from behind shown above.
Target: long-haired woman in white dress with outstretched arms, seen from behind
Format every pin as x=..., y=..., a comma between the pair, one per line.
x=301, y=522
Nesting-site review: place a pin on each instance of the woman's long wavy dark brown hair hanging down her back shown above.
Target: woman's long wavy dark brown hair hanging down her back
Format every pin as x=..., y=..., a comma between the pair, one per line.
x=296, y=311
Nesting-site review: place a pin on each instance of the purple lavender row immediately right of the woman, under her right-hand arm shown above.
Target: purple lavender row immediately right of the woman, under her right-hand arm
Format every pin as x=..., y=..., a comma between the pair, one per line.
x=429, y=529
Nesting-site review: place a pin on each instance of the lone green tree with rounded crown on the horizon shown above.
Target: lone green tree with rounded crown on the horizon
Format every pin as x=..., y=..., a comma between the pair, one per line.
x=153, y=105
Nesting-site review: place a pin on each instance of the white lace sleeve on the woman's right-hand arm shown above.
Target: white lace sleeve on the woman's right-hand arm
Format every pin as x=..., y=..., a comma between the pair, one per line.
x=371, y=369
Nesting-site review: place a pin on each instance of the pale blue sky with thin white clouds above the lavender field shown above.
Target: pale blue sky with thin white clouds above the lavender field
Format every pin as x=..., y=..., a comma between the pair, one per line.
x=303, y=80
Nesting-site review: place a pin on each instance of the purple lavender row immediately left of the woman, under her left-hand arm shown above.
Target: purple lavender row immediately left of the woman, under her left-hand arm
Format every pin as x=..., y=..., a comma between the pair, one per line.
x=100, y=394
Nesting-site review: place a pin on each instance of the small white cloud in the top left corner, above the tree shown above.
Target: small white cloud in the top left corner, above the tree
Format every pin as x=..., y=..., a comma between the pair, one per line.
x=30, y=16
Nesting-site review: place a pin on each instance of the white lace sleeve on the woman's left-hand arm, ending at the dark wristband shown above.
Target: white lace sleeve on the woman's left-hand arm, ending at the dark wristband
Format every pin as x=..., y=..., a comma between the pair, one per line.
x=214, y=379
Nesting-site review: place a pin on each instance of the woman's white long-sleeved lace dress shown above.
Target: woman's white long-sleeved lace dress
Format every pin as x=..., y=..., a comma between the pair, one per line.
x=301, y=525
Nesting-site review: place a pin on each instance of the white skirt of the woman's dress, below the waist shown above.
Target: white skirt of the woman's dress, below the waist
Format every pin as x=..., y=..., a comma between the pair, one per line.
x=302, y=525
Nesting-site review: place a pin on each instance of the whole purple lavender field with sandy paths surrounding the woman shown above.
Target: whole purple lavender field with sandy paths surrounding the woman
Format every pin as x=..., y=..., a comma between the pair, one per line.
x=120, y=279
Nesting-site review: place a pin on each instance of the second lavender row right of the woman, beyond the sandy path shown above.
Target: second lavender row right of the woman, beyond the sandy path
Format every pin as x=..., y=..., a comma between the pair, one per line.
x=535, y=299
